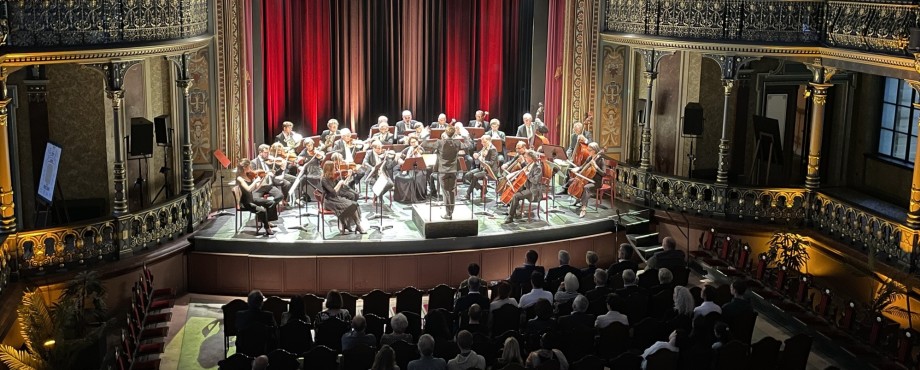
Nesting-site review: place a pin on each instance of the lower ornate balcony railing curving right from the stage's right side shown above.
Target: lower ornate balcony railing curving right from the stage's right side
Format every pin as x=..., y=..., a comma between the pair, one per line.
x=881, y=237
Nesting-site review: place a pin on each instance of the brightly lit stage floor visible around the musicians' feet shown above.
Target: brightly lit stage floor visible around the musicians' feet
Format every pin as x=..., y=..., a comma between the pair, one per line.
x=299, y=227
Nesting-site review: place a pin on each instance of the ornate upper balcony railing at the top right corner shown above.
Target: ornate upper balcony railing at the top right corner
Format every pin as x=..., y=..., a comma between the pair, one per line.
x=875, y=26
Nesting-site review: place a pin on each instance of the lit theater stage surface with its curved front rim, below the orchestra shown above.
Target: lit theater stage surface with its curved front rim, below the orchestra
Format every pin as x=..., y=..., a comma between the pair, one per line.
x=297, y=234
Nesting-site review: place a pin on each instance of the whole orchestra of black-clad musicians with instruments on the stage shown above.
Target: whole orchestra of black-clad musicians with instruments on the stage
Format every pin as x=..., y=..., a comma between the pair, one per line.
x=410, y=162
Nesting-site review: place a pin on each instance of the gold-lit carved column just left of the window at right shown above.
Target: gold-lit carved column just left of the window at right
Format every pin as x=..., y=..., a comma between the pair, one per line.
x=820, y=76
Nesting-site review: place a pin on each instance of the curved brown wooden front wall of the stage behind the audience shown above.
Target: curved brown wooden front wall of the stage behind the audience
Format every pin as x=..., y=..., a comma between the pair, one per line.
x=234, y=267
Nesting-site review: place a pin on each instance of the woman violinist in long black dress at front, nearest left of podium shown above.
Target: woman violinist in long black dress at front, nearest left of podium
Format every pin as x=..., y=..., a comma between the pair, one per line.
x=337, y=199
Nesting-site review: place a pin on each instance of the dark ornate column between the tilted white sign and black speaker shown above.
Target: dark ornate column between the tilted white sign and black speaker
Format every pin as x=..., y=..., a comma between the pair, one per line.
x=114, y=73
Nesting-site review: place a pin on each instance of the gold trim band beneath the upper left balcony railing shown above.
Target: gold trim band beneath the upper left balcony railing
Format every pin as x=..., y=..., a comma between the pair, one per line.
x=103, y=55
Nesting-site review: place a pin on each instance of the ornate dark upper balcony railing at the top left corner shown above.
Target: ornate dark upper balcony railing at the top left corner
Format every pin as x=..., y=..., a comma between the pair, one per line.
x=59, y=23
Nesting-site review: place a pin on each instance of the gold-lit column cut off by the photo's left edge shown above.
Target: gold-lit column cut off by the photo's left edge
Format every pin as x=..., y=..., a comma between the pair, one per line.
x=7, y=205
